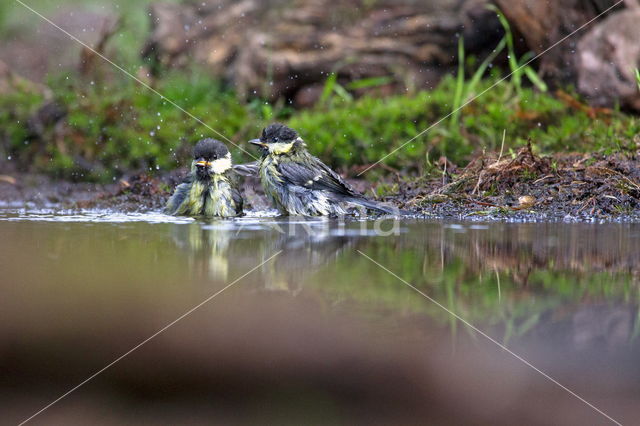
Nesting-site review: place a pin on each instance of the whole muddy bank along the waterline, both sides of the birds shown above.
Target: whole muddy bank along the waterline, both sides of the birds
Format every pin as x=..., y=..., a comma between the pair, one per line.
x=520, y=186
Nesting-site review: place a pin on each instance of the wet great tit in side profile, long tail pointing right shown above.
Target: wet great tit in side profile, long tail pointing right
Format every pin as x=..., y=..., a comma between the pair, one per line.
x=300, y=184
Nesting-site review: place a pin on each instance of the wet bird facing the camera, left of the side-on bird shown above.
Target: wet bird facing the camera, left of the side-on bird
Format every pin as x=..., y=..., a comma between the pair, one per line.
x=210, y=189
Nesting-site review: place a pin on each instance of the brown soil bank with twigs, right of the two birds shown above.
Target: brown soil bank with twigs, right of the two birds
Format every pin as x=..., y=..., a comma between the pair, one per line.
x=527, y=186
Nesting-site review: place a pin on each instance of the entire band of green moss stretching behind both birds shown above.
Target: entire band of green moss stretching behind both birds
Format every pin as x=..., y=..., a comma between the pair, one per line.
x=118, y=127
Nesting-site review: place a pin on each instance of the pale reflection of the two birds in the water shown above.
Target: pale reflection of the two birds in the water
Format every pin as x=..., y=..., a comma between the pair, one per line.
x=214, y=248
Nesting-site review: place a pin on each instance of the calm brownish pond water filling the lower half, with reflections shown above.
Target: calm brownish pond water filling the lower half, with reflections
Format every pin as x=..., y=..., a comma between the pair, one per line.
x=328, y=330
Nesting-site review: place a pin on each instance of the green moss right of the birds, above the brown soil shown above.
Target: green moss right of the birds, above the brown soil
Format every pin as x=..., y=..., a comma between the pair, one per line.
x=364, y=130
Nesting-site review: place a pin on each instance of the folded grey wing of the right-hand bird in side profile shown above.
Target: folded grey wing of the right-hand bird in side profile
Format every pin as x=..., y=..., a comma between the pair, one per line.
x=315, y=175
